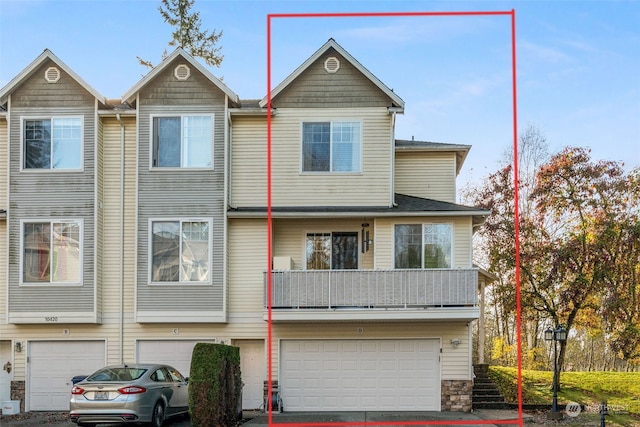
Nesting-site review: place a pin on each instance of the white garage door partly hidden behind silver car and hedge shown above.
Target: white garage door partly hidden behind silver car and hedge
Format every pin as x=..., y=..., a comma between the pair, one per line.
x=176, y=353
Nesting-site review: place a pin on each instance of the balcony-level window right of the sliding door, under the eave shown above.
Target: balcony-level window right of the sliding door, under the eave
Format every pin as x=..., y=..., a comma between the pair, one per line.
x=423, y=245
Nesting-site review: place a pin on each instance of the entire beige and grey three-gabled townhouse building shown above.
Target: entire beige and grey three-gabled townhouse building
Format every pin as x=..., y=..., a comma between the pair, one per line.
x=131, y=229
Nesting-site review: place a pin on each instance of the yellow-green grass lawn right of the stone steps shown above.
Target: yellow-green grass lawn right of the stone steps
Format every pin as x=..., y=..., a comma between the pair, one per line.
x=621, y=391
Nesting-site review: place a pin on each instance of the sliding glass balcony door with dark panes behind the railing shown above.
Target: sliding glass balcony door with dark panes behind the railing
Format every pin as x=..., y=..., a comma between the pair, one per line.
x=332, y=251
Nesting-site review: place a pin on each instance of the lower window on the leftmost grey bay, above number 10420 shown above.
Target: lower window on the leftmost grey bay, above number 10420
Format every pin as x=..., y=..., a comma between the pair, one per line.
x=52, y=252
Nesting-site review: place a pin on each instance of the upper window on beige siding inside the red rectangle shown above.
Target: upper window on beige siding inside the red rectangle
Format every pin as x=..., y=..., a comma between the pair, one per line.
x=331, y=147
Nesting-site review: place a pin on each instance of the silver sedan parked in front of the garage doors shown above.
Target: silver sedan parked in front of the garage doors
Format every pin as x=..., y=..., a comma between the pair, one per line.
x=136, y=393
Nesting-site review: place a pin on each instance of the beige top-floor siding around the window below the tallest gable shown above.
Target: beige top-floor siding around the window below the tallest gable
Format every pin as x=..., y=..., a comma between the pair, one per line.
x=290, y=187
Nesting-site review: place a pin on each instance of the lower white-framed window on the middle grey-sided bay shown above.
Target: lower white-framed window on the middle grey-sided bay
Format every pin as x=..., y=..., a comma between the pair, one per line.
x=181, y=251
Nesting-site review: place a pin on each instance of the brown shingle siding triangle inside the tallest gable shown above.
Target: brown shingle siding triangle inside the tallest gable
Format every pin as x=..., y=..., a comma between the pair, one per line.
x=315, y=87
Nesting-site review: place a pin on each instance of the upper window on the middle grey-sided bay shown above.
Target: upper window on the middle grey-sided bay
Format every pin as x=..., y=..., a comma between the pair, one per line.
x=183, y=141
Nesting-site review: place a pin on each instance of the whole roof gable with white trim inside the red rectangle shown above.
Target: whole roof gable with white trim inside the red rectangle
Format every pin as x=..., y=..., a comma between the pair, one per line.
x=331, y=77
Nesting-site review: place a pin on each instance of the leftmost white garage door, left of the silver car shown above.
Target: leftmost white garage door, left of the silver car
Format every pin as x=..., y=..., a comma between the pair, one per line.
x=52, y=364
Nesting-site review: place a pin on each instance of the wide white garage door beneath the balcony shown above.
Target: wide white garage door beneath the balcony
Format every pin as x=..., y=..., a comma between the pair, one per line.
x=352, y=375
